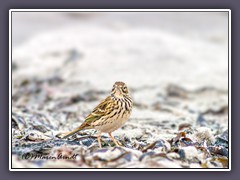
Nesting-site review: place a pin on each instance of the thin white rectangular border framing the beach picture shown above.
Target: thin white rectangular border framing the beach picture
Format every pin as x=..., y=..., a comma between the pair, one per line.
x=119, y=10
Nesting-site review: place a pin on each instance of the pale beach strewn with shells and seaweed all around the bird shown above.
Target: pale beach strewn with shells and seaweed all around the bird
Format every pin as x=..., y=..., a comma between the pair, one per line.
x=175, y=65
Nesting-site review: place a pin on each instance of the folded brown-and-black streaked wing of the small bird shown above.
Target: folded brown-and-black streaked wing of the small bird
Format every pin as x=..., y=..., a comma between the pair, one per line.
x=107, y=105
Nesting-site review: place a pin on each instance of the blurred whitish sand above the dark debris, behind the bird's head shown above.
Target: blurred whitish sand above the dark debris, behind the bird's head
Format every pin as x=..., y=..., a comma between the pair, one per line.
x=141, y=48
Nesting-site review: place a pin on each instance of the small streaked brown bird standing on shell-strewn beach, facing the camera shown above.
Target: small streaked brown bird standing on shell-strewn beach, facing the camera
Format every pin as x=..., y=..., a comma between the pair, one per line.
x=109, y=115
